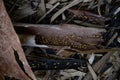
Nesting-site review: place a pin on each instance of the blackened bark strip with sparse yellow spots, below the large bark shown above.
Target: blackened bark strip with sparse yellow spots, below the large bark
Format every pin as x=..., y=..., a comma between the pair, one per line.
x=55, y=64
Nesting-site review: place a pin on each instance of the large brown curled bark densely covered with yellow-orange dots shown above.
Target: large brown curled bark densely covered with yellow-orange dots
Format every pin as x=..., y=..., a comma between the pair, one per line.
x=77, y=37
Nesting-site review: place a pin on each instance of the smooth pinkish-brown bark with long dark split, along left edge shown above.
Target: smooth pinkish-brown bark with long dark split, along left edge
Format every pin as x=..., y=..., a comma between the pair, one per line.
x=13, y=64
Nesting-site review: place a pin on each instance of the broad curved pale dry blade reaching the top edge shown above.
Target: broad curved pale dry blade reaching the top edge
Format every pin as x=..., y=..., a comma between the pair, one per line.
x=75, y=2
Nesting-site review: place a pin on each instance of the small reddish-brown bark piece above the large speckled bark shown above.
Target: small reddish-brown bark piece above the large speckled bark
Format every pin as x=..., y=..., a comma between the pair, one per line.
x=85, y=15
